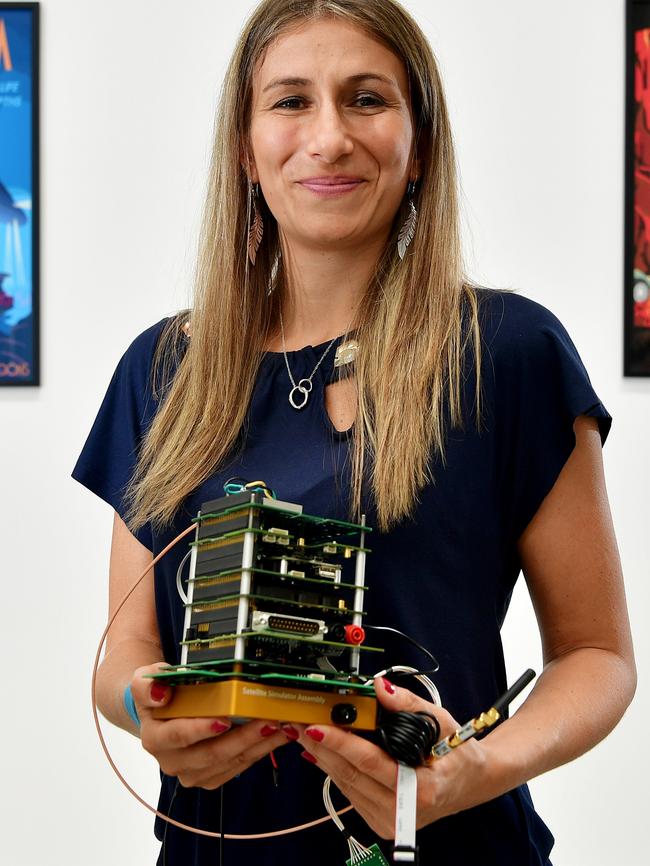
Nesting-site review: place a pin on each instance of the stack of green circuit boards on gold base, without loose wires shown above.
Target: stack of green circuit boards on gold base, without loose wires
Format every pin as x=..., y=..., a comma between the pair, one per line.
x=275, y=597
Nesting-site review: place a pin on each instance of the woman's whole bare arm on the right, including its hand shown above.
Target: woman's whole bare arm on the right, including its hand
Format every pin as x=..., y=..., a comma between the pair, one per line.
x=571, y=562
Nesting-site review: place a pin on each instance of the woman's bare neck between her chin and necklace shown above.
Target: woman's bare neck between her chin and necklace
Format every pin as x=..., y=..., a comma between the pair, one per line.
x=324, y=291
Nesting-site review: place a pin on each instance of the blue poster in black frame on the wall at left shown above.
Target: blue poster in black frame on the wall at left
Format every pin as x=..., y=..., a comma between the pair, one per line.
x=19, y=194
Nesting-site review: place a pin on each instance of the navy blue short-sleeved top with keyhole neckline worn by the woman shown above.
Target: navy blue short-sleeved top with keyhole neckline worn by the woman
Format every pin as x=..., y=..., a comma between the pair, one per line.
x=445, y=577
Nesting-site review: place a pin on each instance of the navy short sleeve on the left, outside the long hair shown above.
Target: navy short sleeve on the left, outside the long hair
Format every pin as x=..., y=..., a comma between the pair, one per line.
x=109, y=456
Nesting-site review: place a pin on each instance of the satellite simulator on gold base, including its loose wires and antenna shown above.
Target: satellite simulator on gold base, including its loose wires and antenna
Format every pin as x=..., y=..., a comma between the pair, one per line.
x=266, y=616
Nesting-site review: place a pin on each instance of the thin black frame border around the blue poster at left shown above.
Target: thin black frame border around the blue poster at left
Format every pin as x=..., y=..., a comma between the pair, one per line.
x=35, y=378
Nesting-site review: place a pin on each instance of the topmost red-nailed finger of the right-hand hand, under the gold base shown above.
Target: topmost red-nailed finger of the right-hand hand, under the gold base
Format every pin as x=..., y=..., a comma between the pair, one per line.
x=350, y=757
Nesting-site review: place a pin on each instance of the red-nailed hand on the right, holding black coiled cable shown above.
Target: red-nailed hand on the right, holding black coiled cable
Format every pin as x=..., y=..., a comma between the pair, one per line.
x=367, y=776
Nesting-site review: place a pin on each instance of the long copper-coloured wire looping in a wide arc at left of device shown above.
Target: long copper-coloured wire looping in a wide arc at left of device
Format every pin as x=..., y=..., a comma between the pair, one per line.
x=109, y=757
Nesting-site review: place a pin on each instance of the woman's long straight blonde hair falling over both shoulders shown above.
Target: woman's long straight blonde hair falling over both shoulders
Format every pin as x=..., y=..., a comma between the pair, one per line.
x=418, y=315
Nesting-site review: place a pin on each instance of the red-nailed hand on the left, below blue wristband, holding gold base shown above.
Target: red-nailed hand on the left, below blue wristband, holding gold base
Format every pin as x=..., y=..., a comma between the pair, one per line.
x=201, y=753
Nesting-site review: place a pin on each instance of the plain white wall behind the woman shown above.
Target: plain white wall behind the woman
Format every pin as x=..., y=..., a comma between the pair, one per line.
x=128, y=94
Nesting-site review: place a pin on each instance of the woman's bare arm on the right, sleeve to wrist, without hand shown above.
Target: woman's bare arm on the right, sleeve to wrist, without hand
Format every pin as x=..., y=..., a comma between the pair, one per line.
x=571, y=564
